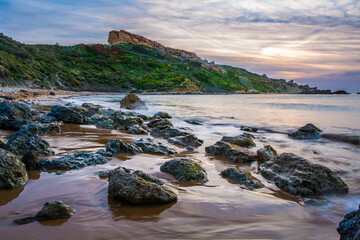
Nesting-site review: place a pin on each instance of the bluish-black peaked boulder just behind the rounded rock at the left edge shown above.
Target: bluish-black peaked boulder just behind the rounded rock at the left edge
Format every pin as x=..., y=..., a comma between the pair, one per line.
x=27, y=139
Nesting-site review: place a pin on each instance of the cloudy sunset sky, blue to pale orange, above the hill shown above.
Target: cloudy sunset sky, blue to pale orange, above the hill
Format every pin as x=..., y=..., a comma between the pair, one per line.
x=312, y=42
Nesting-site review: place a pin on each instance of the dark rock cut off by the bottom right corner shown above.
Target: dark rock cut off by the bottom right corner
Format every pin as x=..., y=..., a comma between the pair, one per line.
x=349, y=227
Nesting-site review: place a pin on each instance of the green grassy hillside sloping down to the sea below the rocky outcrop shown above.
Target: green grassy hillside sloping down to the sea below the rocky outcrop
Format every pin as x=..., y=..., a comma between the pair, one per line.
x=124, y=67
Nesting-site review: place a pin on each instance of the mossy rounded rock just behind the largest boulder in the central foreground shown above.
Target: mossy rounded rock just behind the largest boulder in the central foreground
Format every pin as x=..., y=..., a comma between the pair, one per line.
x=185, y=170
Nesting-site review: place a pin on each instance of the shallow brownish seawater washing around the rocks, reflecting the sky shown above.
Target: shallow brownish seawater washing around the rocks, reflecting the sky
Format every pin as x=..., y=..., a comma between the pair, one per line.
x=218, y=209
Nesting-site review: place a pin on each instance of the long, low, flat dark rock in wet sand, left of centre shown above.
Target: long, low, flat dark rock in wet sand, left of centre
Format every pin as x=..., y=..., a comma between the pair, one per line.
x=73, y=161
